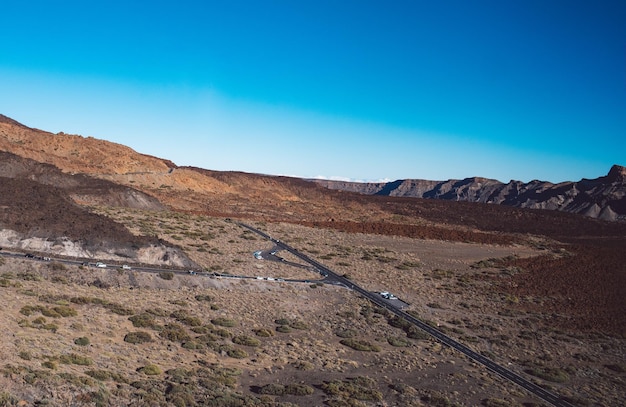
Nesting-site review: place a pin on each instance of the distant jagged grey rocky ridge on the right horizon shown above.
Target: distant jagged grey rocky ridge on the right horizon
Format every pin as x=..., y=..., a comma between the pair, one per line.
x=603, y=198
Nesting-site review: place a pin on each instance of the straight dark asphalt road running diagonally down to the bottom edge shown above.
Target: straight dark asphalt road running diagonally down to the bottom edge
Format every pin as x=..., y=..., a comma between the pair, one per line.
x=335, y=278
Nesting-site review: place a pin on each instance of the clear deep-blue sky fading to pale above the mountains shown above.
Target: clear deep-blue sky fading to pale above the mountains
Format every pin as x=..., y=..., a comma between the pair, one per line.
x=350, y=89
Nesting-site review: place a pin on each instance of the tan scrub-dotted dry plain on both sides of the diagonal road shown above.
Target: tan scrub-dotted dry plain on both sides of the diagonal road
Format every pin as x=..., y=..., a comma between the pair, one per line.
x=216, y=324
